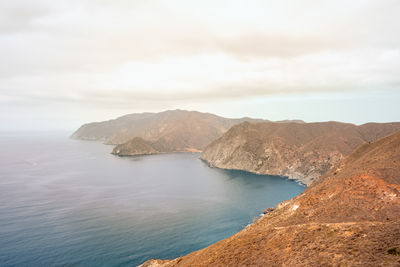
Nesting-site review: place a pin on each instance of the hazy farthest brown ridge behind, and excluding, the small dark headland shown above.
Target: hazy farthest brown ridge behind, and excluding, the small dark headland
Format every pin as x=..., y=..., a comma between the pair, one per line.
x=152, y=126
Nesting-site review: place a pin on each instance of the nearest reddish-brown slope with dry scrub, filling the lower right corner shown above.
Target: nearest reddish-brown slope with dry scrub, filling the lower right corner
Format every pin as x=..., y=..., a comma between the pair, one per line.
x=349, y=217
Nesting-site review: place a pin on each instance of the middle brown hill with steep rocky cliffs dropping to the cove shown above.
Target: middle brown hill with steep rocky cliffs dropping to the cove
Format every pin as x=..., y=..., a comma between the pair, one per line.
x=302, y=151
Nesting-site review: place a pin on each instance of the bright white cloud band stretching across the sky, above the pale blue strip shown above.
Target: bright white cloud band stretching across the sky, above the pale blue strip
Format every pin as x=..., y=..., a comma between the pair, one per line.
x=179, y=80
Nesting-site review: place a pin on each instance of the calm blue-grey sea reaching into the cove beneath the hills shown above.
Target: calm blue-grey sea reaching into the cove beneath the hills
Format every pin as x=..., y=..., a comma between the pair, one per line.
x=69, y=202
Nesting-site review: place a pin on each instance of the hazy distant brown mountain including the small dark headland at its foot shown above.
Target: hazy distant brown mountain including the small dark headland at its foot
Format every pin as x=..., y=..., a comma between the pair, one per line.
x=168, y=131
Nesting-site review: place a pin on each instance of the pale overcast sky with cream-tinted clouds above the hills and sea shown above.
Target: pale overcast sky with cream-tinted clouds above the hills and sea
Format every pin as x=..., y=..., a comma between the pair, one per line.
x=67, y=62
